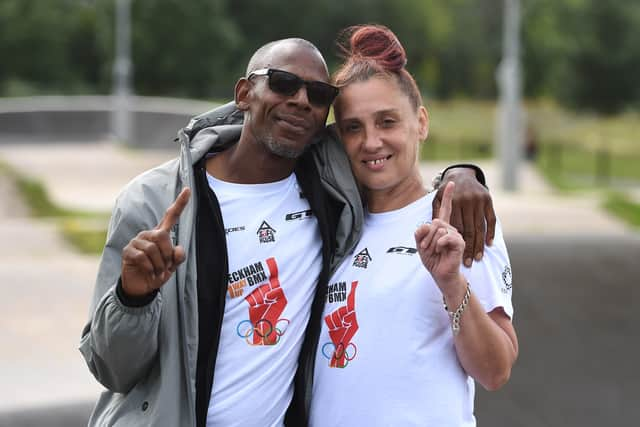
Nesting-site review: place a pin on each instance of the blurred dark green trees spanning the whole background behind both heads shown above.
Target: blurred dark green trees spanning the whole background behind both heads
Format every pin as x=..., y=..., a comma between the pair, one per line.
x=585, y=54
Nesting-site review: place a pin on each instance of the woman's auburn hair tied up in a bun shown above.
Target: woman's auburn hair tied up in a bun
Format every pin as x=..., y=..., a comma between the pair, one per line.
x=374, y=50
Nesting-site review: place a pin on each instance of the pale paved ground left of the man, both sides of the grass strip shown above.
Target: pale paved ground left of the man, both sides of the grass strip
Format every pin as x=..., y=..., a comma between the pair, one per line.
x=47, y=286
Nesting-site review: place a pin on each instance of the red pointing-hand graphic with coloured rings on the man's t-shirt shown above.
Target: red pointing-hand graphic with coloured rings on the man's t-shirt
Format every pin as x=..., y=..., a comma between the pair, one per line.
x=266, y=304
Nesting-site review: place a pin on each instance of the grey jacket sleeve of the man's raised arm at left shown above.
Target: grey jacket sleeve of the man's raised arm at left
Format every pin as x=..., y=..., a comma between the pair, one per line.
x=119, y=342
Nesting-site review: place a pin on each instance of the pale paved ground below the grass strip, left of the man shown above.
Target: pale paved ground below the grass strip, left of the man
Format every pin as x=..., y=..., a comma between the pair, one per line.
x=46, y=288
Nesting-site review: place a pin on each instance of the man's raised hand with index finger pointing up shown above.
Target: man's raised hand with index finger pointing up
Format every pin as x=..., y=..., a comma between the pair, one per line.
x=150, y=258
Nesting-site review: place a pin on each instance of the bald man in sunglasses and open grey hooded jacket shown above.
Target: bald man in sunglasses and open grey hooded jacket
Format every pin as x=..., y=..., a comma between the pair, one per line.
x=204, y=315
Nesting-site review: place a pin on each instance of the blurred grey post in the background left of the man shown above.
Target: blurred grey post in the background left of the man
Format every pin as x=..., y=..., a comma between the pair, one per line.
x=121, y=115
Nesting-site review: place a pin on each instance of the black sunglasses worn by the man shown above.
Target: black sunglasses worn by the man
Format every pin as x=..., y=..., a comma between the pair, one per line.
x=284, y=83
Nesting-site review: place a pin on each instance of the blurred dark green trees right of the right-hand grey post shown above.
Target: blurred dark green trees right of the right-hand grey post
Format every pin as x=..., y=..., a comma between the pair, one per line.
x=585, y=53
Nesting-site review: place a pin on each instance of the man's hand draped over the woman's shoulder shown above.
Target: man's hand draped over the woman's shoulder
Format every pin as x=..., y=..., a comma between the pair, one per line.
x=472, y=211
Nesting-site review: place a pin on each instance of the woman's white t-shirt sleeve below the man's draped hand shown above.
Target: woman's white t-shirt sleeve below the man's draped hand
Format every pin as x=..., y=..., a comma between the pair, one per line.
x=491, y=278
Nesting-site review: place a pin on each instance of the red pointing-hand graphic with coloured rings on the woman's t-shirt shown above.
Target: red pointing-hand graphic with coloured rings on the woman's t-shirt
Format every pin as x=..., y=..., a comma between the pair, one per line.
x=343, y=325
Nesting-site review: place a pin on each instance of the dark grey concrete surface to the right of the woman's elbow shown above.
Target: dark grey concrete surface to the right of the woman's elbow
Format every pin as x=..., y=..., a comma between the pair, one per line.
x=576, y=300
